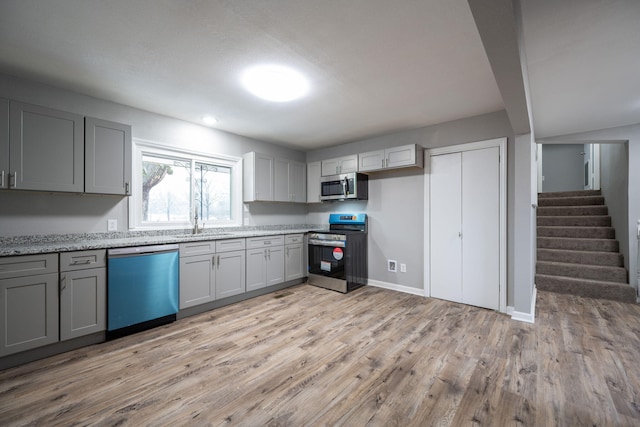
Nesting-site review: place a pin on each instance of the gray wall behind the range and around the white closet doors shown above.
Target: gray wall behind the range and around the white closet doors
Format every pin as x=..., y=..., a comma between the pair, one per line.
x=396, y=198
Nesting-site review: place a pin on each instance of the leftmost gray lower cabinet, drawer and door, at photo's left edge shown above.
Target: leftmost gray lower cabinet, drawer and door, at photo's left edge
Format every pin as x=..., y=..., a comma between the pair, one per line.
x=28, y=302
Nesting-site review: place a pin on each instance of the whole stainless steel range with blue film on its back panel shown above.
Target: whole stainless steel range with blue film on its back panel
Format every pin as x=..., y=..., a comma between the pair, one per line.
x=338, y=257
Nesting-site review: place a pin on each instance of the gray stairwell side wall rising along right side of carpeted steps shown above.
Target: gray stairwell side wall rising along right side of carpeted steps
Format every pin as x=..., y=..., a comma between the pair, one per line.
x=614, y=172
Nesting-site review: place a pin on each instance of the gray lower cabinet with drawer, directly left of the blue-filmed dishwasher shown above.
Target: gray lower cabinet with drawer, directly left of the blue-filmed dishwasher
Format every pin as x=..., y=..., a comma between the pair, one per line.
x=83, y=293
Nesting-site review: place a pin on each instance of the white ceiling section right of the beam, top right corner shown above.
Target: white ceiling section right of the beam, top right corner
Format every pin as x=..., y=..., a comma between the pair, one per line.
x=583, y=59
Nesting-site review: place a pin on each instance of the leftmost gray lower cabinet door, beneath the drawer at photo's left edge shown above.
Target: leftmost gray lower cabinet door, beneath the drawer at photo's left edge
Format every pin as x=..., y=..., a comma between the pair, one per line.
x=28, y=312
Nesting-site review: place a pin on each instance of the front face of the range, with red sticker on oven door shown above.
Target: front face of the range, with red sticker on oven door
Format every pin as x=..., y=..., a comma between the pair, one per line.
x=327, y=264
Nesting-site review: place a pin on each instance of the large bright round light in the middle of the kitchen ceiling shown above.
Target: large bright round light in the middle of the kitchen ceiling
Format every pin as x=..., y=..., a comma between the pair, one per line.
x=275, y=83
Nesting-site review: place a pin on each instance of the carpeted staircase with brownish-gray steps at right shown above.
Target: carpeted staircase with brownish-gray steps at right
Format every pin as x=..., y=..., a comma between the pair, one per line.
x=577, y=250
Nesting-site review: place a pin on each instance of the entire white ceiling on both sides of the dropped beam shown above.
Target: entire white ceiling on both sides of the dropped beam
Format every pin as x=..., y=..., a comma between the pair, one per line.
x=376, y=66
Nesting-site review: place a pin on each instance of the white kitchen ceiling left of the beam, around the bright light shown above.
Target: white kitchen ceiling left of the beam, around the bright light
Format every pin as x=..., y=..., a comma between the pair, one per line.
x=375, y=66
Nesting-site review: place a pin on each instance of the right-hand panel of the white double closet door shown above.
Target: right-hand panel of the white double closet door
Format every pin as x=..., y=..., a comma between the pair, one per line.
x=481, y=227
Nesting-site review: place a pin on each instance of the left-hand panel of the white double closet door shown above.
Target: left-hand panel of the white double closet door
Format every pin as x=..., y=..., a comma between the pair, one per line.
x=445, y=214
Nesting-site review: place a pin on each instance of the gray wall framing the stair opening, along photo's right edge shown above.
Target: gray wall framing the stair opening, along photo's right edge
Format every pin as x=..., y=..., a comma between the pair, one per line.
x=632, y=135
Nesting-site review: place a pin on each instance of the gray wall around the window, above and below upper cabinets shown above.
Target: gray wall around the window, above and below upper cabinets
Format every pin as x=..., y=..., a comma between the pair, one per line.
x=43, y=213
